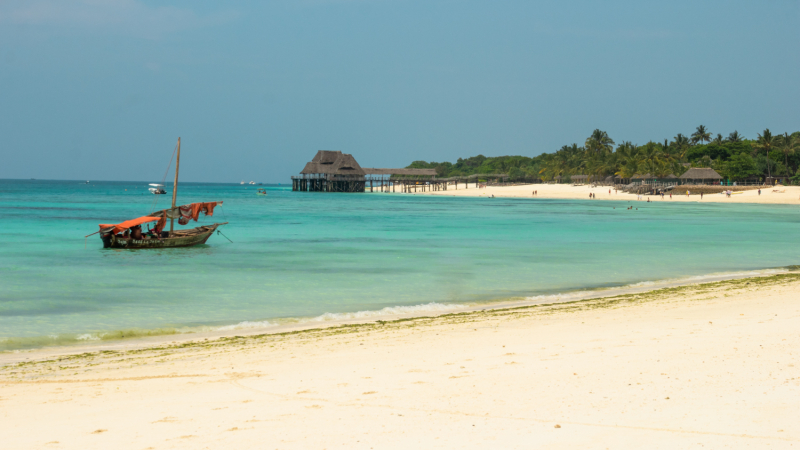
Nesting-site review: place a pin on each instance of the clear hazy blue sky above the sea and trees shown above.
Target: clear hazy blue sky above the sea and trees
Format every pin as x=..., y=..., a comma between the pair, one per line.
x=102, y=89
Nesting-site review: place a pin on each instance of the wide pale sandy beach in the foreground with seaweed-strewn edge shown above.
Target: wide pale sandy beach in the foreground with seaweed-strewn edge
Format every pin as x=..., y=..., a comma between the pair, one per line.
x=713, y=365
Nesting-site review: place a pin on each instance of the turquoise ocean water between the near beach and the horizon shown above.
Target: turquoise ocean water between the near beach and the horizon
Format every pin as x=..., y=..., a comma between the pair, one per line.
x=319, y=256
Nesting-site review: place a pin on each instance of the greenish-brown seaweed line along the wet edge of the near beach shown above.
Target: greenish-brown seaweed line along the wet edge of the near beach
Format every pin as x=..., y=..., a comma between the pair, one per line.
x=33, y=371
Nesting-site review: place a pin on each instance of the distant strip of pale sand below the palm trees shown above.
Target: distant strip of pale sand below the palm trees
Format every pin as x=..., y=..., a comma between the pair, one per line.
x=791, y=194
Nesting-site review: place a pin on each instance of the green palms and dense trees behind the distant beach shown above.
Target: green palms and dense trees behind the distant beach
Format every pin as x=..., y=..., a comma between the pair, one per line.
x=734, y=157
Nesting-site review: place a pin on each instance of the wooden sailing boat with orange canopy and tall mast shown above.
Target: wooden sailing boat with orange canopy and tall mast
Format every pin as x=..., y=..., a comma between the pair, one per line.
x=127, y=235
